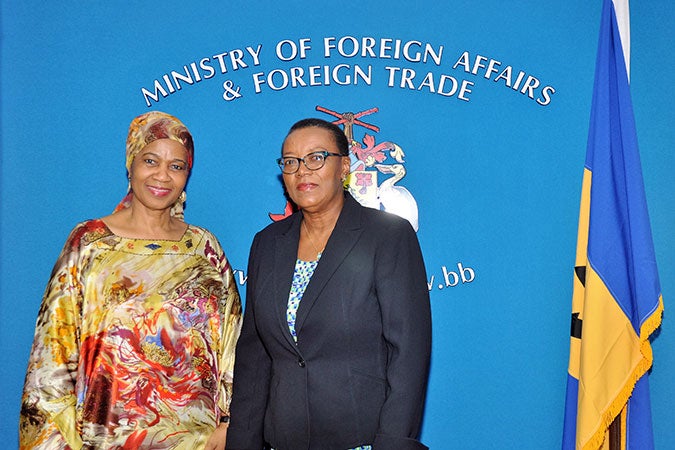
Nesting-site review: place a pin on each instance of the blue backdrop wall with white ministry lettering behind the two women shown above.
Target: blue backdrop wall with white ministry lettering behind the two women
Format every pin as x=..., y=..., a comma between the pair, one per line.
x=488, y=103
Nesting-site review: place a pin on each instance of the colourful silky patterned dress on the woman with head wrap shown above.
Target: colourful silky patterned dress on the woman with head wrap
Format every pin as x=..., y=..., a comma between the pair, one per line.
x=134, y=344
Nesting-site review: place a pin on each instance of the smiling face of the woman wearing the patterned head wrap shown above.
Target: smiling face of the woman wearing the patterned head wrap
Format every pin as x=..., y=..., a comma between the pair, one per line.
x=159, y=173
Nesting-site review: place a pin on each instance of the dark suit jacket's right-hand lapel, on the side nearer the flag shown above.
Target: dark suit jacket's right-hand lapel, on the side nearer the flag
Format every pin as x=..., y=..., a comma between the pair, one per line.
x=342, y=240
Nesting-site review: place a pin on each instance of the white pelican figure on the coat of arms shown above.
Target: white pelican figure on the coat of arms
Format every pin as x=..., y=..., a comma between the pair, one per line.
x=397, y=199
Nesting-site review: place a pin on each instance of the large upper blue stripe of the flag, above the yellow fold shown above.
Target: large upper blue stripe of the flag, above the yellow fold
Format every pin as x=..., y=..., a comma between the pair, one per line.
x=620, y=247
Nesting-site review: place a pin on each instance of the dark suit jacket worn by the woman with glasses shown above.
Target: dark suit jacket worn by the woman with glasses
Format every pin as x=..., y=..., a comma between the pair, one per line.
x=358, y=373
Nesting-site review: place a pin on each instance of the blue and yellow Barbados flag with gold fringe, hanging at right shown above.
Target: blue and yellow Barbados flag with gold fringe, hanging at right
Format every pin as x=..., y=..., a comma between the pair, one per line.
x=616, y=302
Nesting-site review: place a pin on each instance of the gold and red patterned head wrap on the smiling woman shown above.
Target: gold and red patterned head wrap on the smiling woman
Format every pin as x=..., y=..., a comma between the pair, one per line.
x=147, y=128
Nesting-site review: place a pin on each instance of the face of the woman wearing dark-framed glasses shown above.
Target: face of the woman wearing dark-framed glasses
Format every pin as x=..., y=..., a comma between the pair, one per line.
x=315, y=190
